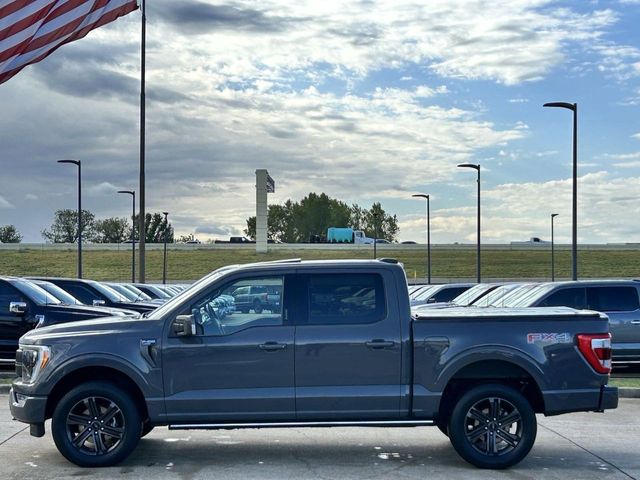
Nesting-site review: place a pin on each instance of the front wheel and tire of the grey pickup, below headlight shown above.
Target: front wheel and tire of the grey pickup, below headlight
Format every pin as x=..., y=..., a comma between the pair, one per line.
x=102, y=405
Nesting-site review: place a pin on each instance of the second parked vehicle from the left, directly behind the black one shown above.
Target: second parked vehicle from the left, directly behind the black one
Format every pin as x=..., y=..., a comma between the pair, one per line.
x=91, y=292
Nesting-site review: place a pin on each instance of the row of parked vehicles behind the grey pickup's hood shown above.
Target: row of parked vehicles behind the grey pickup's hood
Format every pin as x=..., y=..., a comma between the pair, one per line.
x=27, y=303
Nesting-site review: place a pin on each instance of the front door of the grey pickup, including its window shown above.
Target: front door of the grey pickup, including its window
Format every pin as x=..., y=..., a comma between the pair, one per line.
x=239, y=366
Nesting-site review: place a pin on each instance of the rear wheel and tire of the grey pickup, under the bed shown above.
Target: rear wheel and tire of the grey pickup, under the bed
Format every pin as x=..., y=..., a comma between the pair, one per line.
x=497, y=445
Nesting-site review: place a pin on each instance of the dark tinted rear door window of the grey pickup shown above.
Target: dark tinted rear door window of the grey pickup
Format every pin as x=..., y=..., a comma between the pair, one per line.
x=346, y=299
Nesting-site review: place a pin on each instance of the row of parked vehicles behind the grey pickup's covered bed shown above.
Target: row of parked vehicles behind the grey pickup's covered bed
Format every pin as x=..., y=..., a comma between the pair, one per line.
x=618, y=299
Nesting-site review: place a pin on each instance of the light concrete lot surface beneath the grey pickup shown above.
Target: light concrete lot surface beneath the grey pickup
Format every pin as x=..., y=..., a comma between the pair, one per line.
x=574, y=446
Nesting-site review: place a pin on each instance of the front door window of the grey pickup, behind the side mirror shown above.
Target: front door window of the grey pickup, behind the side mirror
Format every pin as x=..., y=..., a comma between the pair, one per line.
x=236, y=307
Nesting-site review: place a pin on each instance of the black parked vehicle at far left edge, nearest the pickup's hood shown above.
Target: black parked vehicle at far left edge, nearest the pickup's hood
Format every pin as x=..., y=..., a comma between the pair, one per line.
x=24, y=306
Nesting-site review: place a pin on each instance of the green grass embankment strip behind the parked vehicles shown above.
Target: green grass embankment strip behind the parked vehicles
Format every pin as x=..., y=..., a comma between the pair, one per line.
x=446, y=264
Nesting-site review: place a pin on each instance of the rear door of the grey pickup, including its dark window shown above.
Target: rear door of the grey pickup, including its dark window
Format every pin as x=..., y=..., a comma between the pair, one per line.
x=347, y=347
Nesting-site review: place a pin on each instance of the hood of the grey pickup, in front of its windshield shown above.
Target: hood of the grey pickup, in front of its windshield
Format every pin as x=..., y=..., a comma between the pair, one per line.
x=84, y=328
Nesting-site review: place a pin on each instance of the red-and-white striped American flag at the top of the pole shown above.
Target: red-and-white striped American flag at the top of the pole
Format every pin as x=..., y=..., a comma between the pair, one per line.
x=30, y=30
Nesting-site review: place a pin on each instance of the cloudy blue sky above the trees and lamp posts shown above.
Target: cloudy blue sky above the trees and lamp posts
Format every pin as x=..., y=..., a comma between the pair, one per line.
x=366, y=101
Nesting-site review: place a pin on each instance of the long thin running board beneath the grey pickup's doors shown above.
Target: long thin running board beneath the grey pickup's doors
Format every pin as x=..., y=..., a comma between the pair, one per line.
x=372, y=423
